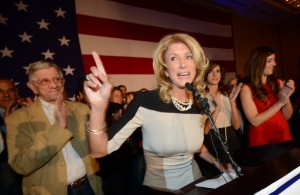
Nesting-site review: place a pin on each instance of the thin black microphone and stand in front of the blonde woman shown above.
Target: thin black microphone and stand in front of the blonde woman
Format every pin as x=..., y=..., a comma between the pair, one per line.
x=204, y=107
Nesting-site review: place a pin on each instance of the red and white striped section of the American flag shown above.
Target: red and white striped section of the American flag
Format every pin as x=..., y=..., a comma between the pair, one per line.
x=125, y=35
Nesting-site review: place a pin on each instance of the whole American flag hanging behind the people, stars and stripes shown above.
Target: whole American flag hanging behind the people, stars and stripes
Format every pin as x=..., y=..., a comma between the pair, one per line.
x=123, y=32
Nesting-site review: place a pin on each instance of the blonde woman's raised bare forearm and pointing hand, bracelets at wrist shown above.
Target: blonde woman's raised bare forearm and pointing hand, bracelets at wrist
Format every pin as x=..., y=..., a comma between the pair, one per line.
x=98, y=90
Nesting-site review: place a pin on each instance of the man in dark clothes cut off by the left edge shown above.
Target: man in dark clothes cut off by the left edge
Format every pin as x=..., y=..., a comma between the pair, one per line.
x=10, y=181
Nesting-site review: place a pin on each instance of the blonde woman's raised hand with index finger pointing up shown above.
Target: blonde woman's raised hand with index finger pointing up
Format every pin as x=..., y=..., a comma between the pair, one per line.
x=97, y=86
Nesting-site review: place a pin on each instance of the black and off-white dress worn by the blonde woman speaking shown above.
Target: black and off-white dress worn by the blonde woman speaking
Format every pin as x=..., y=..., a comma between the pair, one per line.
x=170, y=139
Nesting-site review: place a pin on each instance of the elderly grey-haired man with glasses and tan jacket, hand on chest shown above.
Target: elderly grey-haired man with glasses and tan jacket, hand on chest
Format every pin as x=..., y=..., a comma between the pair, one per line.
x=47, y=141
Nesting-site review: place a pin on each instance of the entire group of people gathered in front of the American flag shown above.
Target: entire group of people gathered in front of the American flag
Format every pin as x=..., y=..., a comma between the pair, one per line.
x=112, y=141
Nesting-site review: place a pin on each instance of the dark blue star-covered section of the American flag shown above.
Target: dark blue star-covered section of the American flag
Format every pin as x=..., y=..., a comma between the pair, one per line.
x=37, y=30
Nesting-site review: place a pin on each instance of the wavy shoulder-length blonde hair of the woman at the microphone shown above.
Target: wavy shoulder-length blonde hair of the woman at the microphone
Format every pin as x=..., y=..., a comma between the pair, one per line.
x=160, y=66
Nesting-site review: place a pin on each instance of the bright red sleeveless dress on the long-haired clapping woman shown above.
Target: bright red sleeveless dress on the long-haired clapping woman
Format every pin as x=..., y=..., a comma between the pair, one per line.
x=276, y=129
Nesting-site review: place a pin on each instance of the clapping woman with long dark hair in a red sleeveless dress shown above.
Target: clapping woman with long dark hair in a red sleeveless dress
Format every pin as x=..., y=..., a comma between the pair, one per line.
x=266, y=99
